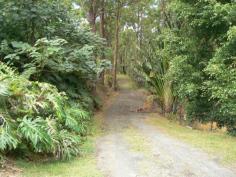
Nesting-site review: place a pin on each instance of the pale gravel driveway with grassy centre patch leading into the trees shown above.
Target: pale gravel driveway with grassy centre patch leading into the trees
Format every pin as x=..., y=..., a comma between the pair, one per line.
x=132, y=148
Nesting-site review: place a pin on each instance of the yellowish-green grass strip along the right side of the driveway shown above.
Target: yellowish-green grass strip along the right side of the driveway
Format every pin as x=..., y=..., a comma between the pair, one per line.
x=216, y=143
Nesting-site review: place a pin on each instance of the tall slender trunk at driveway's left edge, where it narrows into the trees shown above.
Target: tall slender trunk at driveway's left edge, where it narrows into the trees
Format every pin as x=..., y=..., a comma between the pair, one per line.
x=116, y=50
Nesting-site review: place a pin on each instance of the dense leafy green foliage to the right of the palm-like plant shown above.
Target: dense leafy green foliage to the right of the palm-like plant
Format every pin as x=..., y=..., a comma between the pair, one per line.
x=206, y=36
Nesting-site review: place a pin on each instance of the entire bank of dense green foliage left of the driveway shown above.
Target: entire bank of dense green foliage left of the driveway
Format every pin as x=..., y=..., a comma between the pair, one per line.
x=48, y=71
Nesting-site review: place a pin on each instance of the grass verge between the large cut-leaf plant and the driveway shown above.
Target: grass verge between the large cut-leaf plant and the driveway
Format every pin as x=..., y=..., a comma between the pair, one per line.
x=84, y=166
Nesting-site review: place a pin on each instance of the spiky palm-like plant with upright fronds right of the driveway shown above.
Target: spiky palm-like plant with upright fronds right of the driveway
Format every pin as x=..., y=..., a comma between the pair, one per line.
x=154, y=68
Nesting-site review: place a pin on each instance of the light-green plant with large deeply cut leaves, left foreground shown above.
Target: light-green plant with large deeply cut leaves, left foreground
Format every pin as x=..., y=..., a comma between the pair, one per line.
x=35, y=115
